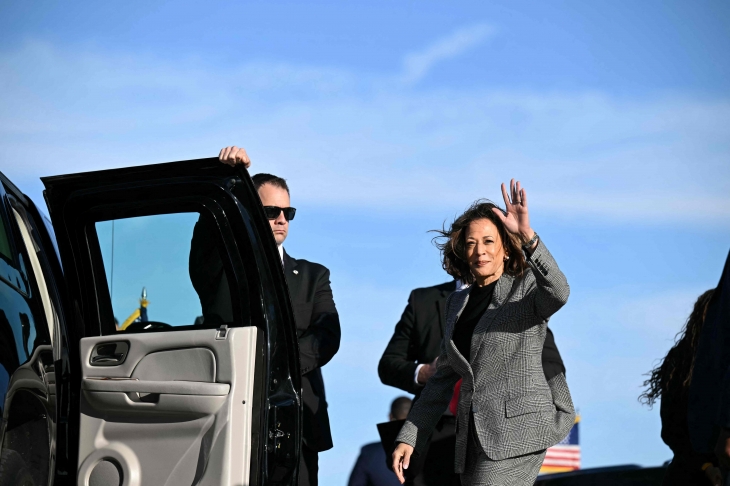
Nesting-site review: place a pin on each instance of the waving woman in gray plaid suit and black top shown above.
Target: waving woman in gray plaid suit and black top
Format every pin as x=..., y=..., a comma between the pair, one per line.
x=508, y=414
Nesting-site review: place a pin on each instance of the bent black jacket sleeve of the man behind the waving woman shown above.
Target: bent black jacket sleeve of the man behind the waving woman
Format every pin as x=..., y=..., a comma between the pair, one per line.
x=398, y=363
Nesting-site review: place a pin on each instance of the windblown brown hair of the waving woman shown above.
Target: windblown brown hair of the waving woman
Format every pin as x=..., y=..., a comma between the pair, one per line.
x=452, y=243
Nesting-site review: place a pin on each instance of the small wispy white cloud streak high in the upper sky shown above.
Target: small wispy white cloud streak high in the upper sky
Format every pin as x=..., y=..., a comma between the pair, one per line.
x=416, y=65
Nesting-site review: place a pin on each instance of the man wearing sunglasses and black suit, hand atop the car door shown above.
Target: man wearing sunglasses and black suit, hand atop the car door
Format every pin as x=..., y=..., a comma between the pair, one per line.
x=318, y=325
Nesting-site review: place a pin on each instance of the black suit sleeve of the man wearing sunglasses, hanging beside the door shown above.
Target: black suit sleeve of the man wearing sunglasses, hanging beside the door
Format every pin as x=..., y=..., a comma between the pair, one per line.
x=321, y=340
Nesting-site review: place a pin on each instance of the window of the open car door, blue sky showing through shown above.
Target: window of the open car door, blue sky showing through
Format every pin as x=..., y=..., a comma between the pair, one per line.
x=152, y=273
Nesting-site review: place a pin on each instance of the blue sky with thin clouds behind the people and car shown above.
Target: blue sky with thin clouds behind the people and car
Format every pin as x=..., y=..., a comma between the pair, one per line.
x=388, y=119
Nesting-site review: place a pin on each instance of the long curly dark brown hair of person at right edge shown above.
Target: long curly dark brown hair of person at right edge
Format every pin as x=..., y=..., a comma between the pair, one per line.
x=679, y=362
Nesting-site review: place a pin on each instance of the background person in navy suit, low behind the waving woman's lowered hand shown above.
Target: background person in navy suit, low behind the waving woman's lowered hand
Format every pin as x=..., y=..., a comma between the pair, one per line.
x=371, y=466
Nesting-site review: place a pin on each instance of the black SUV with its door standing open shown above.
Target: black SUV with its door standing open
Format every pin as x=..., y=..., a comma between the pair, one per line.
x=97, y=388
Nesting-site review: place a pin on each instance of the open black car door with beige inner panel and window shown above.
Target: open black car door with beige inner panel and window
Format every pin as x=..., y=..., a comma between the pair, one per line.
x=198, y=381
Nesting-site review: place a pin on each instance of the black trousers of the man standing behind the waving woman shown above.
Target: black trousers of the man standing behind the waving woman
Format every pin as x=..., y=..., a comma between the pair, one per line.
x=438, y=464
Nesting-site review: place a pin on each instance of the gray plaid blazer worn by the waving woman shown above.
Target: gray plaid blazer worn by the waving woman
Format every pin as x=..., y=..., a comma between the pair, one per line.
x=515, y=410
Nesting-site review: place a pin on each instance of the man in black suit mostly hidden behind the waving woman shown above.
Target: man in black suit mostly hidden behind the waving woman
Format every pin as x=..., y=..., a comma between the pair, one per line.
x=408, y=362
